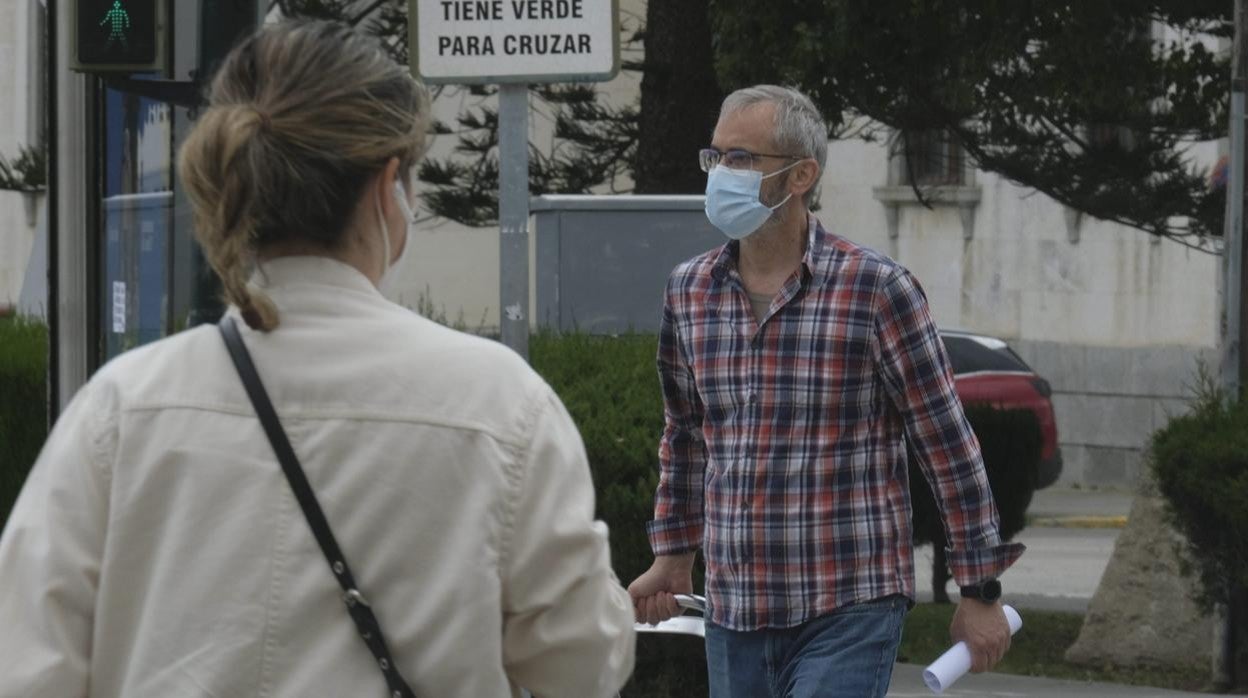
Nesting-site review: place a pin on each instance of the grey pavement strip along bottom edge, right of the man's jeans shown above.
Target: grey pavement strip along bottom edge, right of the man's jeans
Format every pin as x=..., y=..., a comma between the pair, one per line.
x=908, y=682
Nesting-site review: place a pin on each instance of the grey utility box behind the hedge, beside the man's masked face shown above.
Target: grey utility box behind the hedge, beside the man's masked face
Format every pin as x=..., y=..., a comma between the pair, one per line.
x=602, y=263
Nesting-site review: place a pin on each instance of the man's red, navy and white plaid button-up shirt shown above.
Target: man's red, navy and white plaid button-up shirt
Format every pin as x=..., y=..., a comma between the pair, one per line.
x=784, y=450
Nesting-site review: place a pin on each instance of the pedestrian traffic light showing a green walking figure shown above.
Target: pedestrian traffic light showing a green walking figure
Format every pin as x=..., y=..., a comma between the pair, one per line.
x=119, y=36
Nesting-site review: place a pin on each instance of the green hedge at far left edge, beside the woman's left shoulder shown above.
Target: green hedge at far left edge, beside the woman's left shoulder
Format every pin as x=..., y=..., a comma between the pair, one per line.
x=23, y=404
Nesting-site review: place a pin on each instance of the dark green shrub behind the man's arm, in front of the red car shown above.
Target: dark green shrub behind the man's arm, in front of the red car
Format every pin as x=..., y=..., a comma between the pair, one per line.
x=1012, y=443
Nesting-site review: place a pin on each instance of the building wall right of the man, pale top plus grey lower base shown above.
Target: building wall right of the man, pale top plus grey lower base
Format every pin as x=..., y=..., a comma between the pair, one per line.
x=1116, y=320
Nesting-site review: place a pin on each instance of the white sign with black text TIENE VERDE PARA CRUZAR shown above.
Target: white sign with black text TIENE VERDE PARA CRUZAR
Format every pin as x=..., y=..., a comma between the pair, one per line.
x=495, y=42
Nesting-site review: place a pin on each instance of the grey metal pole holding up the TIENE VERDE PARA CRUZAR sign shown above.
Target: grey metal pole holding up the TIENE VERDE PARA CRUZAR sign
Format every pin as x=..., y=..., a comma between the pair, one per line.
x=514, y=215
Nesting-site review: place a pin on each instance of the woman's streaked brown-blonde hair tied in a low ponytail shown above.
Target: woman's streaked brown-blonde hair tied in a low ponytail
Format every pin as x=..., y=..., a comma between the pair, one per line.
x=301, y=116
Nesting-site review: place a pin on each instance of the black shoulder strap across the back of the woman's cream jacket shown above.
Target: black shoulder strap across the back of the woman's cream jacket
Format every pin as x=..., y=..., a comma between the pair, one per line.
x=359, y=609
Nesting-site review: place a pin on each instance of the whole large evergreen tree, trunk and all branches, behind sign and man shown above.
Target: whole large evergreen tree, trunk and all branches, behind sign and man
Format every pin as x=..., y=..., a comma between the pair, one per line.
x=1090, y=103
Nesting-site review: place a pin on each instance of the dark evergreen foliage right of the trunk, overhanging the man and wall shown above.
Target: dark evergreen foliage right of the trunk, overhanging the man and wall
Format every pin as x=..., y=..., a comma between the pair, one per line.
x=1093, y=103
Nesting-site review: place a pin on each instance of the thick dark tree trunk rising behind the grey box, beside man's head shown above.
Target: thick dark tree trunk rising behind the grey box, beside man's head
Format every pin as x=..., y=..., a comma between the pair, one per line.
x=681, y=98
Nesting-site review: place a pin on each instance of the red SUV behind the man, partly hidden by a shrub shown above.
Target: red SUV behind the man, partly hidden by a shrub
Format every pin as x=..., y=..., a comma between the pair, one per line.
x=987, y=370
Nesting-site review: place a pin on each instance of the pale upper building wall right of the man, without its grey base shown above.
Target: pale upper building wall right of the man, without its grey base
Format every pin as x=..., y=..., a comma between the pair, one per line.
x=1020, y=275
